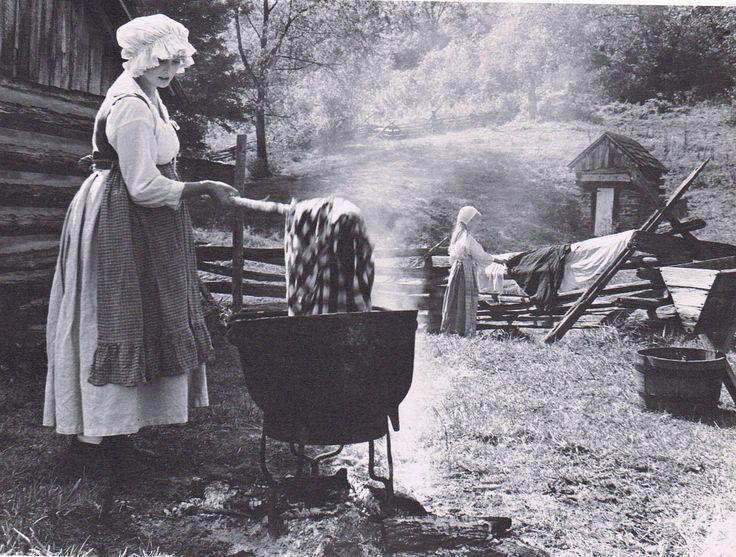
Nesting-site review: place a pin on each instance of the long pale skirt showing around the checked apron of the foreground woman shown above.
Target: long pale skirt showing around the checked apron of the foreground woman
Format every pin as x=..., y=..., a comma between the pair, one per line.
x=72, y=404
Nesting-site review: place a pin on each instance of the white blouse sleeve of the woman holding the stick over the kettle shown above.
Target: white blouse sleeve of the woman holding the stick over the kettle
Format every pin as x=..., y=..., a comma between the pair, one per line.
x=130, y=130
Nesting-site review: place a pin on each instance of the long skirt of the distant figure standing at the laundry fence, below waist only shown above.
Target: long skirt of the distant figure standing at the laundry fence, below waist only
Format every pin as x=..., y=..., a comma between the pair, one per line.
x=460, y=306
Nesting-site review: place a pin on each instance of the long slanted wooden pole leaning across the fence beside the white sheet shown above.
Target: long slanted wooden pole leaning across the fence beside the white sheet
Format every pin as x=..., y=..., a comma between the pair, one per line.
x=613, y=267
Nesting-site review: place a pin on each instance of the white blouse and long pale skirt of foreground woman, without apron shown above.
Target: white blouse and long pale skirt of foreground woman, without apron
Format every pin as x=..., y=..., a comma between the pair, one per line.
x=143, y=136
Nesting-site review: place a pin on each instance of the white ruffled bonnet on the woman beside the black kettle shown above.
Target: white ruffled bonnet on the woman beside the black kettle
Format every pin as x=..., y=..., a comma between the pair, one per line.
x=147, y=39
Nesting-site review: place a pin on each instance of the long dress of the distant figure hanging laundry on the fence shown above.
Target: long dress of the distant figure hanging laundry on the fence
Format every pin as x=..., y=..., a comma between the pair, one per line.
x=460, y=305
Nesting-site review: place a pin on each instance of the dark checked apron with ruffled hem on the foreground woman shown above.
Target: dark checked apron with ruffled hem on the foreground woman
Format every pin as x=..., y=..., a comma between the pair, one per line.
x=149, y=310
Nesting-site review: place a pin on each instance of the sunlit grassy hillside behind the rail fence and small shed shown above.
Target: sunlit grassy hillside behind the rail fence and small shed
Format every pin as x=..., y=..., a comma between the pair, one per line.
x=515, y=174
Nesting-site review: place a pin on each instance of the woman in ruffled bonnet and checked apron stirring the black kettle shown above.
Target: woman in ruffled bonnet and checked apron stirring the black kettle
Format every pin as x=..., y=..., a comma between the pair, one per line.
x=126, y=340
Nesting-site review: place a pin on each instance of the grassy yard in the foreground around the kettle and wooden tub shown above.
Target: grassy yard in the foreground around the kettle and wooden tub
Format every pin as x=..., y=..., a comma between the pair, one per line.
x=554, y=437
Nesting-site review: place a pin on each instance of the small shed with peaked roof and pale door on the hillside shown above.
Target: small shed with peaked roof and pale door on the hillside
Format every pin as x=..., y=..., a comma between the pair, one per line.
x=620, y=182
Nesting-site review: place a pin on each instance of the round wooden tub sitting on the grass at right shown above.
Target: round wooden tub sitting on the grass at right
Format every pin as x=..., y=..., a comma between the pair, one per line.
x=682, y=381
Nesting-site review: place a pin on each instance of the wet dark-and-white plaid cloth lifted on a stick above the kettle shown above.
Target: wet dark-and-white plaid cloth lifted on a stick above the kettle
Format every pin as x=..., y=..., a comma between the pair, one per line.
x=329, y=258
